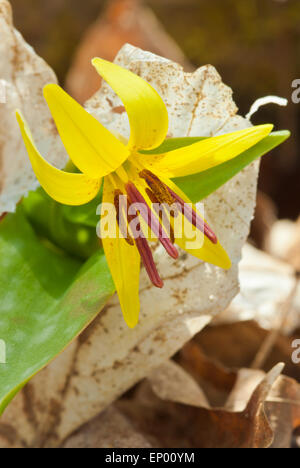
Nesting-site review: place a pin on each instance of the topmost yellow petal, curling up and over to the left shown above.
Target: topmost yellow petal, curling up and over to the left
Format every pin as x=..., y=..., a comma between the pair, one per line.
x=148, y=116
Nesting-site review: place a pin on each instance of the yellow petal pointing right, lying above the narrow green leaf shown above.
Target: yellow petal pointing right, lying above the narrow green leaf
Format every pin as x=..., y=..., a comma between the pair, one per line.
x=207, y=153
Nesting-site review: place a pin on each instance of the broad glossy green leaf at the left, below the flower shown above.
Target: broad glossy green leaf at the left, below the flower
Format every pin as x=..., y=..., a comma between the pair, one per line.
x=47, y=299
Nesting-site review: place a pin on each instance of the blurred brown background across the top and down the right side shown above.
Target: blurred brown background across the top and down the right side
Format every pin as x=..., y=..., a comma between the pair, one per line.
x=254, y=44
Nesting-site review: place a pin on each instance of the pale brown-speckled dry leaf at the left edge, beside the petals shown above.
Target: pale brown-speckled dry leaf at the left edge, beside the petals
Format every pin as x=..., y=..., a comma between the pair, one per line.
x=23, y=75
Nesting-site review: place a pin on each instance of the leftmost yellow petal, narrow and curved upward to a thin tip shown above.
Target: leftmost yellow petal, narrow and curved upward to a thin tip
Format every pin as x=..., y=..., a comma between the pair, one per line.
x=66, y=188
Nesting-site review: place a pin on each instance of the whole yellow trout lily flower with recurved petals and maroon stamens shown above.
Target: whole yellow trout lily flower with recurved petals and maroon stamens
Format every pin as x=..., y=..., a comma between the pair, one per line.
x=125, y=168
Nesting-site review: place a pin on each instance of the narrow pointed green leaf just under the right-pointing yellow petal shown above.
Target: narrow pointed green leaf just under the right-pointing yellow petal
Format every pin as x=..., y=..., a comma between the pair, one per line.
x=199, y=186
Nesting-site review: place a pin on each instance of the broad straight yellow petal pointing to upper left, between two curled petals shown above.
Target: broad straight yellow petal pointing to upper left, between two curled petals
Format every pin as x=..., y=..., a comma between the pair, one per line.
x=91, y=147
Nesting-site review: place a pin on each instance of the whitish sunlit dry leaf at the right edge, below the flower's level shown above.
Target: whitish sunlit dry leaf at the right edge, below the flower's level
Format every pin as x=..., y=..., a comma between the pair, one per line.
x=266, y=284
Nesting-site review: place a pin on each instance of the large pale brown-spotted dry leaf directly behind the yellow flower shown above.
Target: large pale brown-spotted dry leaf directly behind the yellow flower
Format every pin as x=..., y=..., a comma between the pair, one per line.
x=198, y=104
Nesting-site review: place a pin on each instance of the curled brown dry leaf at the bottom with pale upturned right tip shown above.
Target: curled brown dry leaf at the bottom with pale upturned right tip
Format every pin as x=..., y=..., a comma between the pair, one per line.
x=175, y=424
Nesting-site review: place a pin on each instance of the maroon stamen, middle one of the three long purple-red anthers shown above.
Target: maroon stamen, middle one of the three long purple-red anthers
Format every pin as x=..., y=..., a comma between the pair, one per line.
x=152, y=221
